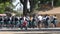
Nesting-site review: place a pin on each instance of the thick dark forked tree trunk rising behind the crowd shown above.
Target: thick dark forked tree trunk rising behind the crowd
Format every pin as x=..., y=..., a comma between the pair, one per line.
x=32, y=5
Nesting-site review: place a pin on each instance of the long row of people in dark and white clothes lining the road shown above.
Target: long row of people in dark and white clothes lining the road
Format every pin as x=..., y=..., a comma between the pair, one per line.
x=32, y=21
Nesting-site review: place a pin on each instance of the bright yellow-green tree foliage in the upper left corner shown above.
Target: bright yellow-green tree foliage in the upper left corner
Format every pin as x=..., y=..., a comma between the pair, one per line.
x=3, y=4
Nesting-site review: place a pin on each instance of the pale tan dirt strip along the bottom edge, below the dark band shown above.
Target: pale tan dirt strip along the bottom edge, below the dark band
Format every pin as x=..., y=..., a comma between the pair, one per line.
x=31, y=32
